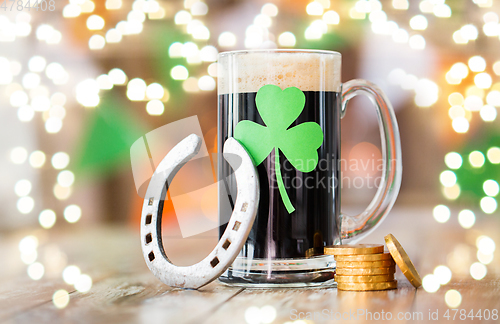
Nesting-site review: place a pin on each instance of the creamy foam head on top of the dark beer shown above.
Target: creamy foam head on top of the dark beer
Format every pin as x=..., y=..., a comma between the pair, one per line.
x=309, y=71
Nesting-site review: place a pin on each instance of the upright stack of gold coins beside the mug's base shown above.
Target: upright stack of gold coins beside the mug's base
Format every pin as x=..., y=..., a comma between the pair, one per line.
x=363, y=267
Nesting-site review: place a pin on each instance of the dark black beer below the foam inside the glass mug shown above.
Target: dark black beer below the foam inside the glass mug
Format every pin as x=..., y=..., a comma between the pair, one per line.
x=276, y=234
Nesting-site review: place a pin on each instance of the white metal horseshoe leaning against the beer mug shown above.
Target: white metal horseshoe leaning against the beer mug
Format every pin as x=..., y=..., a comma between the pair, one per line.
x=235, y=235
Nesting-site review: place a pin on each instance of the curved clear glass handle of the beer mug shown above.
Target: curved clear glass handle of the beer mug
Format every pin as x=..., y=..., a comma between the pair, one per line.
x=352, y=226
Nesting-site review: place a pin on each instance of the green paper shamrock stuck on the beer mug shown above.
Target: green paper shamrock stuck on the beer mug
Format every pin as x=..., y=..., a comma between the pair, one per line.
x=279, y=109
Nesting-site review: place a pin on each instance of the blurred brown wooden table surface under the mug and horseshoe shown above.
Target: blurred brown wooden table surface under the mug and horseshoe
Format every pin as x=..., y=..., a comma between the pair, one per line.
x=124, y=291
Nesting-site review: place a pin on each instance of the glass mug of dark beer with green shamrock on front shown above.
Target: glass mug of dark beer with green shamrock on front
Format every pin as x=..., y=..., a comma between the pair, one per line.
x=285, y=108
